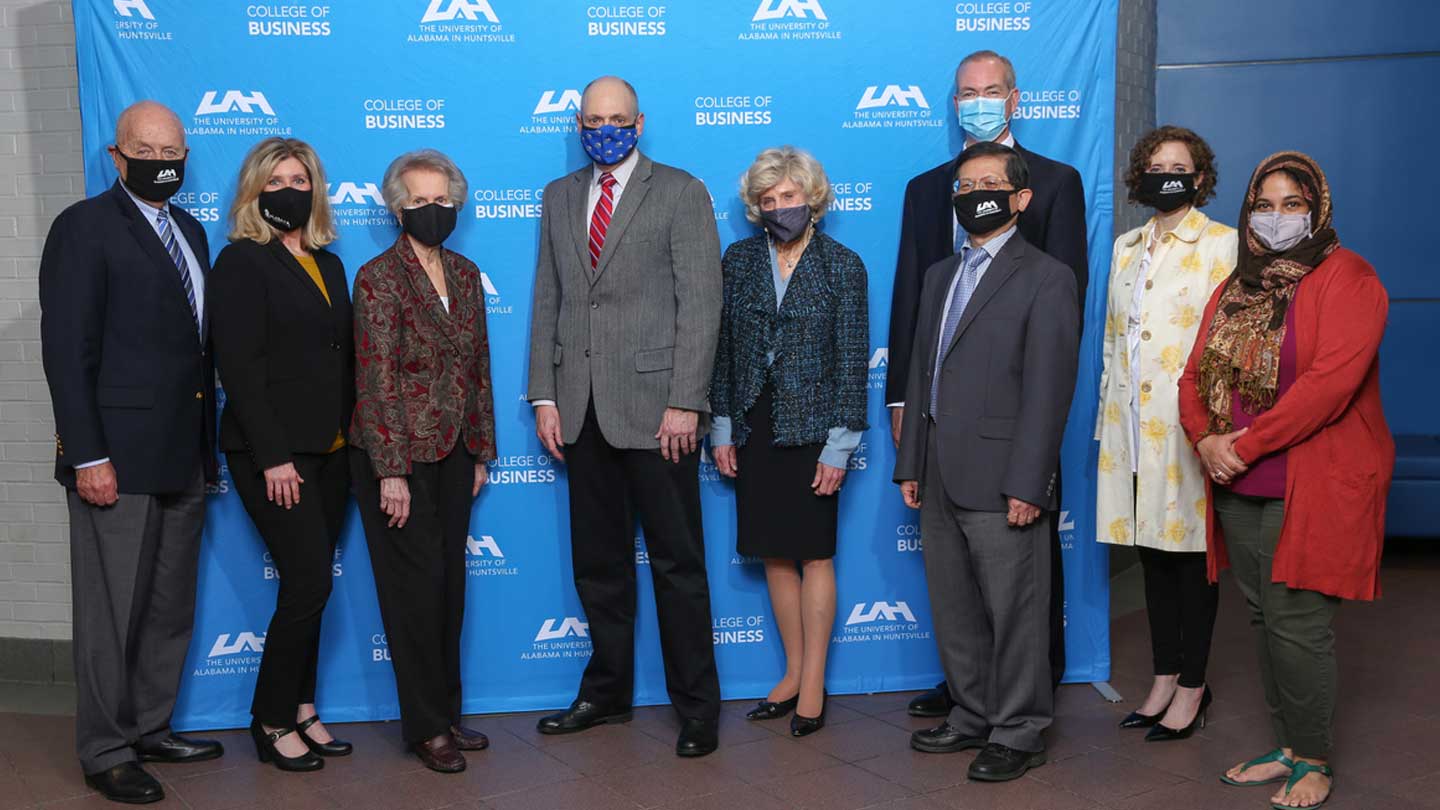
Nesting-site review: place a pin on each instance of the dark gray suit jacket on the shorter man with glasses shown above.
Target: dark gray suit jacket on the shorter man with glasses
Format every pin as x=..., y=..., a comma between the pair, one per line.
x=1006, y=381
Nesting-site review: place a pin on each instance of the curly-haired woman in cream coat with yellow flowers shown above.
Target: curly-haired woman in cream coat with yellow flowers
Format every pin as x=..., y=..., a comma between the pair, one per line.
x=1151, y=491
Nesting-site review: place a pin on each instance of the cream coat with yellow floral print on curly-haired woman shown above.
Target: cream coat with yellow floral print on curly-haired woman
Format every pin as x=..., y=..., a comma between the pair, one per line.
x=1187, y=266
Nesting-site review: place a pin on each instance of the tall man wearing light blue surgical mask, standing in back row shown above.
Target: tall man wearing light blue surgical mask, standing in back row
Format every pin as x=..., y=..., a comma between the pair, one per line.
x=986, y=99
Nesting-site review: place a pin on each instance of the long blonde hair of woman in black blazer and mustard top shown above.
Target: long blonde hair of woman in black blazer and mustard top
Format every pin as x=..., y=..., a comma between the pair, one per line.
x=257, y=169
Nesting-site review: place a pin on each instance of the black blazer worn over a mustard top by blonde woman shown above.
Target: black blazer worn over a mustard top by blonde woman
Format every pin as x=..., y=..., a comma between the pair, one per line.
x=286, y=357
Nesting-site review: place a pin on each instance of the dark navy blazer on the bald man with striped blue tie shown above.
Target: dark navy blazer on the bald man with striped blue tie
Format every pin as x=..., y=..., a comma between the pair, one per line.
x=129, y=373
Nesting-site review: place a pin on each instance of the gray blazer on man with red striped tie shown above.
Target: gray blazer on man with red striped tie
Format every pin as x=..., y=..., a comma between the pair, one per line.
x=639, y=334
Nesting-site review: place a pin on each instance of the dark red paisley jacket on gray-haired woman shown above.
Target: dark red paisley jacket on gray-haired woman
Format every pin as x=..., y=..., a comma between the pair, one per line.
x=423, y=375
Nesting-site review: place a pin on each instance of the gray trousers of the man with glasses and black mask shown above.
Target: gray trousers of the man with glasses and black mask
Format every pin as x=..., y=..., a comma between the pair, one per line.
x=990, y=599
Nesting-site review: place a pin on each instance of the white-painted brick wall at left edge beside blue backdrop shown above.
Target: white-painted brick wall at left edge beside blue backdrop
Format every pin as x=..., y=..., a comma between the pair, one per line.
x=40, y=177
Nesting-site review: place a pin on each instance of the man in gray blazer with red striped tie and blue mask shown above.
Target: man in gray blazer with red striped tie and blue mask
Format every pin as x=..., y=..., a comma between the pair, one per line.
x=623, y=339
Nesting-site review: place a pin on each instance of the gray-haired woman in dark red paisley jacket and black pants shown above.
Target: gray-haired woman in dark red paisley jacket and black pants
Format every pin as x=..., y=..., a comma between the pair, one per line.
x=423, y=432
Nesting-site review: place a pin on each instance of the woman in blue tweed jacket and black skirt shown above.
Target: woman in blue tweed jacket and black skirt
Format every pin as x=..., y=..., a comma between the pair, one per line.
x=788, y=400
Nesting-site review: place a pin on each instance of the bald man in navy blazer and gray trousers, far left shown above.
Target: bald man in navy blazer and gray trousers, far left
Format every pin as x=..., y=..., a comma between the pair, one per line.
x=123, y=334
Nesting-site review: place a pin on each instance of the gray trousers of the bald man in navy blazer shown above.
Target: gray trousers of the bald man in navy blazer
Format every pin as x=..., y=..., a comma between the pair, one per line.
x=133, y=573
